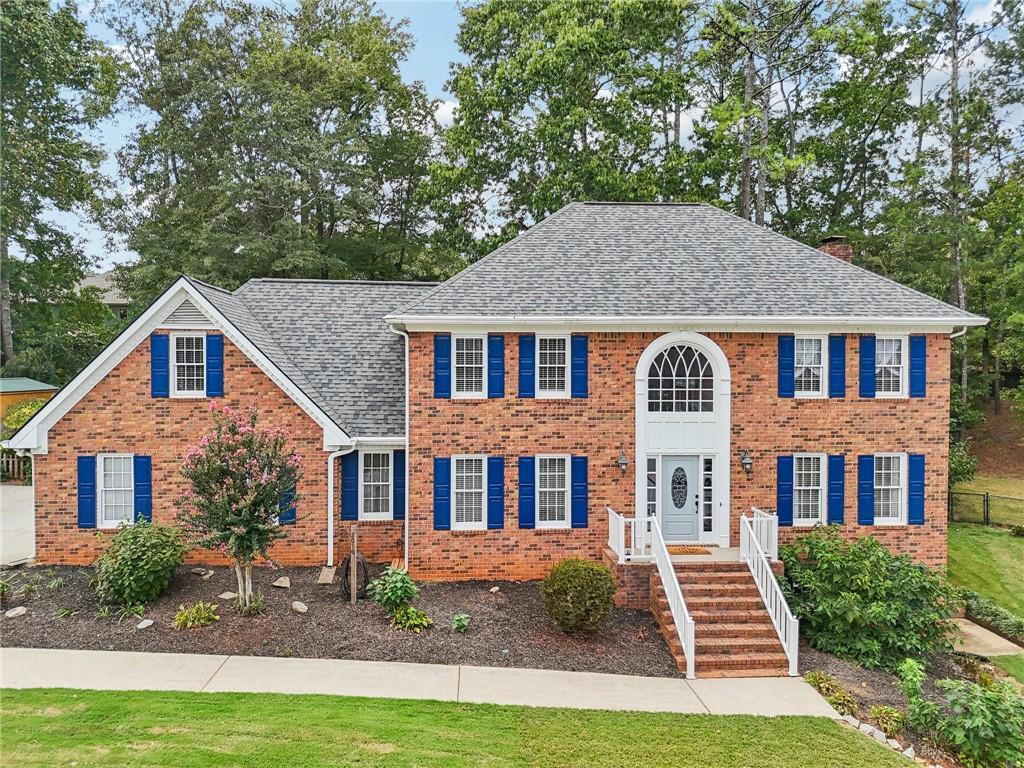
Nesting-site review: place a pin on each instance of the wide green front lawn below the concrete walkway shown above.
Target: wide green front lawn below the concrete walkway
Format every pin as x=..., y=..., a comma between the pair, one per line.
x=104, y=729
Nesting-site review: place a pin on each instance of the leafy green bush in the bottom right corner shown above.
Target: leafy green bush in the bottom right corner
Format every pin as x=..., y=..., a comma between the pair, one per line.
x=984, y=724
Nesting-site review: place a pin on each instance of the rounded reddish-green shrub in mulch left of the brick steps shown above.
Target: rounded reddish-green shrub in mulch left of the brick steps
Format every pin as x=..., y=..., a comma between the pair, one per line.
x=578, y=595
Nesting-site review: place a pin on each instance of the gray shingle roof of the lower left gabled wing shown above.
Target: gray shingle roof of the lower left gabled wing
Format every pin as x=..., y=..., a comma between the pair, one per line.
x=329, y=337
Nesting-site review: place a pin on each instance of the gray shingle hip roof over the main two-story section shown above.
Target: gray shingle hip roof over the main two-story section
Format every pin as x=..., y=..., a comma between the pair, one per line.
x=635, y=261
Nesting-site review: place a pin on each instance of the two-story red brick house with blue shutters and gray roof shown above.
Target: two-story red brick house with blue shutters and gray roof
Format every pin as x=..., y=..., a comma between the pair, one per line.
x=613, y=366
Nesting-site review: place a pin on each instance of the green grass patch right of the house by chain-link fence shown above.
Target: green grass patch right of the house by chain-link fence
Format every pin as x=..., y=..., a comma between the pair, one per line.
x=988, y=561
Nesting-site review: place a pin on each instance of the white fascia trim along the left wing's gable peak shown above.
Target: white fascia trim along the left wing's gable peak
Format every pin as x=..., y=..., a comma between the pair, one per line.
x=33, y=437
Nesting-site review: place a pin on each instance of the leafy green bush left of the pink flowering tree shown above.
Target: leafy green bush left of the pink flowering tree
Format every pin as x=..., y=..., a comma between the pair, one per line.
x=139, y=566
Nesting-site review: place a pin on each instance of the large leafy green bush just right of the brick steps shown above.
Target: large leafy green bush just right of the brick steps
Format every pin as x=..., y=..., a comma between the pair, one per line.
x=860, y=602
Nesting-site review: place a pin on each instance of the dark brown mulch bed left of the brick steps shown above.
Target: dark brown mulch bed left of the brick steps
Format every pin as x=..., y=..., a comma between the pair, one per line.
x=508, y=628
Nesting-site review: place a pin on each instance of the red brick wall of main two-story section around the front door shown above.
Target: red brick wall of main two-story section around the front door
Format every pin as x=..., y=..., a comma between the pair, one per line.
x=603, y=426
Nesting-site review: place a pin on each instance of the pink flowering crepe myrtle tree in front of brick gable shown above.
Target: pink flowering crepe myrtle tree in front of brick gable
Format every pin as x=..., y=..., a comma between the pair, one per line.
x=240, y=478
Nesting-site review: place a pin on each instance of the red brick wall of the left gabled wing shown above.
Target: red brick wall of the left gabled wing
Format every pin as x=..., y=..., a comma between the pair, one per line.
x=119, y=415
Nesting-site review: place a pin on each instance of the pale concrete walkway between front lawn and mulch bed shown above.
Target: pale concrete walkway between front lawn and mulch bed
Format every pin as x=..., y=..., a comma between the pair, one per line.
x=34, y=668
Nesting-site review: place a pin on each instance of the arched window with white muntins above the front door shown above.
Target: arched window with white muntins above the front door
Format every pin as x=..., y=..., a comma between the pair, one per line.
x=681, y=379
